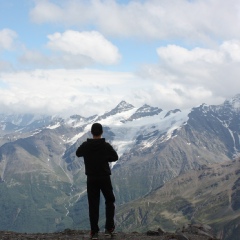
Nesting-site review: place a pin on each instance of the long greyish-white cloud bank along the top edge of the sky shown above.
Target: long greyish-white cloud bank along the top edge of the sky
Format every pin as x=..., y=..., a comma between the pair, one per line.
x=190, y=20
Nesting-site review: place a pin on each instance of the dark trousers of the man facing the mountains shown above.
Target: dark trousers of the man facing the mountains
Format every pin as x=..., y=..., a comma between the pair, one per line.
x=95, y=184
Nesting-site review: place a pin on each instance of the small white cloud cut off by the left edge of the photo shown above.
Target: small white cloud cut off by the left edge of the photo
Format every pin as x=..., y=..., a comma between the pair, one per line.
x=7, y=37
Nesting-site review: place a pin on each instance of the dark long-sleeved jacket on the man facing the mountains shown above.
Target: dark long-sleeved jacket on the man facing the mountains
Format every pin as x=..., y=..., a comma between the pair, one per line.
x=97, y=154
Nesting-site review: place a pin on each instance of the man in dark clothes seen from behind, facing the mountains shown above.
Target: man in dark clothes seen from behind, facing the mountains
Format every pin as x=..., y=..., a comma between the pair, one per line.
x=97, y=154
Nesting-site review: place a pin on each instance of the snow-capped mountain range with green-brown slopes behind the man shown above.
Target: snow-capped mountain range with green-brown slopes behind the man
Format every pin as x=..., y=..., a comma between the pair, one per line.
x=175, y=167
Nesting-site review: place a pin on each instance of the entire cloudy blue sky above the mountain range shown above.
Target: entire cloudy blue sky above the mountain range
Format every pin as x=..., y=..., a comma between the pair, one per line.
x=85, y=56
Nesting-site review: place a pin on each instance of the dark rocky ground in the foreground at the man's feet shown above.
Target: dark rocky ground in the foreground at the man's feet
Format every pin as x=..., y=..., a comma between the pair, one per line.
x=188, y=232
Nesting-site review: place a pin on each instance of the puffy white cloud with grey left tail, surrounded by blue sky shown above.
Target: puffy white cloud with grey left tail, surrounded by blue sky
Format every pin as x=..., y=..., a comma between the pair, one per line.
x=73, y=49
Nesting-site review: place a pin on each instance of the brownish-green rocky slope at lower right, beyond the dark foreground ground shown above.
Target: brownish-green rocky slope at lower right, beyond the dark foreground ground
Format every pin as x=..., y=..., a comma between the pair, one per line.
x=210, y=195
